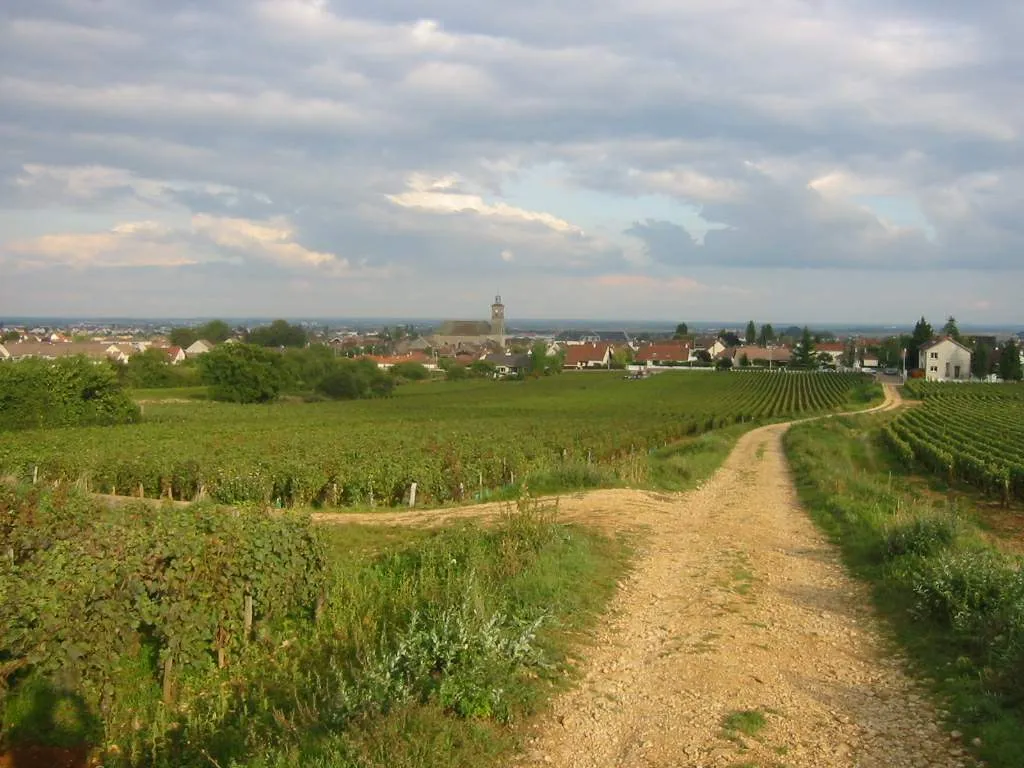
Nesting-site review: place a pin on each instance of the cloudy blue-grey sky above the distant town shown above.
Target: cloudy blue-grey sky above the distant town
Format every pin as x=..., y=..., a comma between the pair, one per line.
x=832, y=161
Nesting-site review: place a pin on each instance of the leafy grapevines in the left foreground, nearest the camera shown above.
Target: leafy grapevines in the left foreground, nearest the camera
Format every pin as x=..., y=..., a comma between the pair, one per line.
x=89, y=588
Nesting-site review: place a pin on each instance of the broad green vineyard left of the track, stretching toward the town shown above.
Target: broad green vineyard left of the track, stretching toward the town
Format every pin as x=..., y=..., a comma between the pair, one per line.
x=456, y=441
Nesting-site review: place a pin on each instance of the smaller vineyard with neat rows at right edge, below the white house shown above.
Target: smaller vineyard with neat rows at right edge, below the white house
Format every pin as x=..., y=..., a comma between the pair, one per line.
x=972, y=434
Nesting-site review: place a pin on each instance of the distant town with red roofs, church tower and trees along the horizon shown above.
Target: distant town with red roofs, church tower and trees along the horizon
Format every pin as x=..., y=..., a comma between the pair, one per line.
x=504, y=351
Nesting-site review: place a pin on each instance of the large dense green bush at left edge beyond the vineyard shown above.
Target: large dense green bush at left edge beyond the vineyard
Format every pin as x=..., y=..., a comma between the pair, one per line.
x=61, y=394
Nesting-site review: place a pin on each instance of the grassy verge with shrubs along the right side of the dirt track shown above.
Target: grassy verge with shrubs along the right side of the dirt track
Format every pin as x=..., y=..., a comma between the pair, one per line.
x=955, y=602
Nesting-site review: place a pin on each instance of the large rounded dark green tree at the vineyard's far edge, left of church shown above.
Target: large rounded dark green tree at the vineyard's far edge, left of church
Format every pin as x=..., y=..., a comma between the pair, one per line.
x=243, y=373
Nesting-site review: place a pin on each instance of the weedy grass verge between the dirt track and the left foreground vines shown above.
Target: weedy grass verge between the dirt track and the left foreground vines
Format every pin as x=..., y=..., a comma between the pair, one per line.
x=432, y=647
